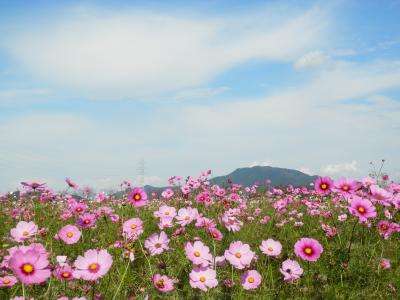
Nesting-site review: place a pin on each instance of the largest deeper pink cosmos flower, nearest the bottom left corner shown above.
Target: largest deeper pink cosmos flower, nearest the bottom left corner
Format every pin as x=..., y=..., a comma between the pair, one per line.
x=30, y=266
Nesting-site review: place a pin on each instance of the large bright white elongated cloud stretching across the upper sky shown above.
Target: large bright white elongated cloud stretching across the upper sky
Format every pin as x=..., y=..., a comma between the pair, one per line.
x=136, y=52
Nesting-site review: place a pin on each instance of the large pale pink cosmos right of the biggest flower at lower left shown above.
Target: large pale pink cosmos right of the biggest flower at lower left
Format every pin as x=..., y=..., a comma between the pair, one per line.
x=93, y=265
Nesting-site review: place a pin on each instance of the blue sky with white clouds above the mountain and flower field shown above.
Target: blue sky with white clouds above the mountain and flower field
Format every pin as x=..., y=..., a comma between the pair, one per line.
x=89, y=88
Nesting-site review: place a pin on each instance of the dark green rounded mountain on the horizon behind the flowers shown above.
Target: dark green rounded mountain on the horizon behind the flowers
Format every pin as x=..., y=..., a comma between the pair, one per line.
x=278, y=176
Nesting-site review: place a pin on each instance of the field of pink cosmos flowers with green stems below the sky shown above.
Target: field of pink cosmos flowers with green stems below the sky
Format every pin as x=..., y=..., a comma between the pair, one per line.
x=330, y=240
